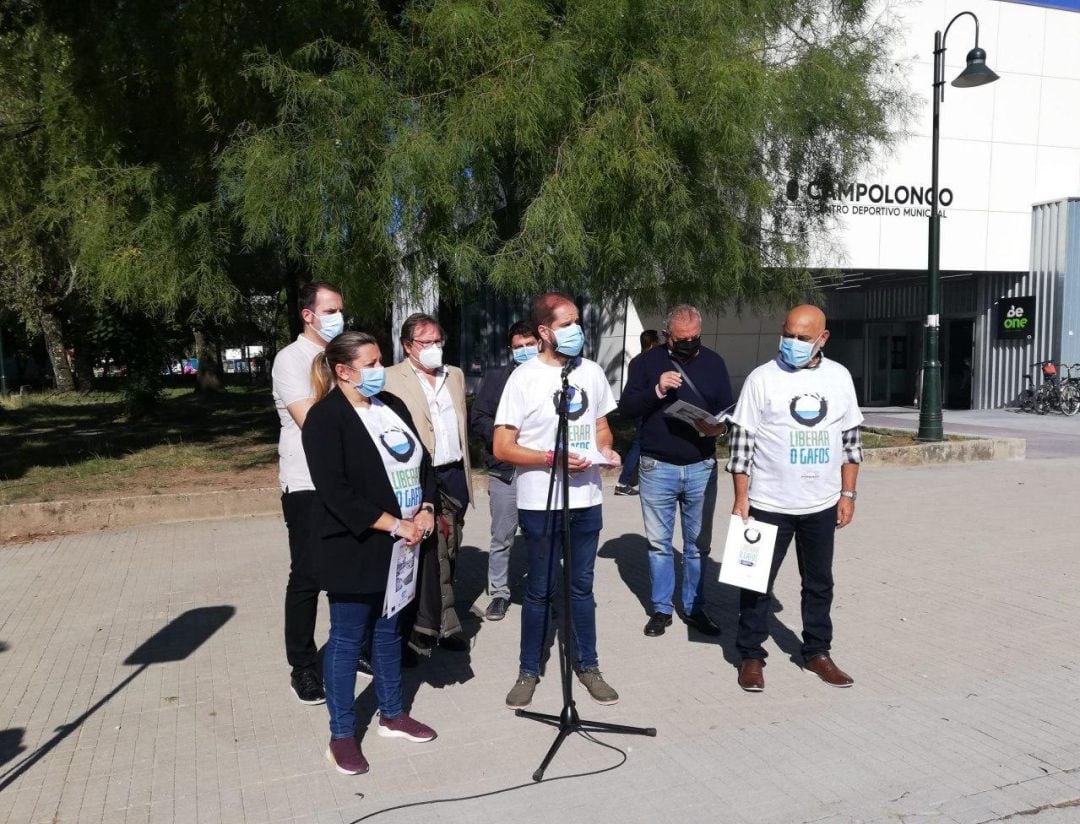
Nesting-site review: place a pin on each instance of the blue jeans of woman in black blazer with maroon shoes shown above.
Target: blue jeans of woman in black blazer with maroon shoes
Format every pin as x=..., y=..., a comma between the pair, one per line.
x=356, y=622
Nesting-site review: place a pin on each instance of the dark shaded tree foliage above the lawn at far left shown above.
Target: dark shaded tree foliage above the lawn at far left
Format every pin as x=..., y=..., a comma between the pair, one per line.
x=113, y=116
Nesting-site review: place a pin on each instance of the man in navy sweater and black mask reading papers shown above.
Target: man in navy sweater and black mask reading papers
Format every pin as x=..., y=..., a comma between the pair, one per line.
x=678, y=390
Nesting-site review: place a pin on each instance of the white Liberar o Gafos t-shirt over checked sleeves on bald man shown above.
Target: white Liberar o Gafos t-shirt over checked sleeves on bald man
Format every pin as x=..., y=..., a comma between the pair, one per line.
x=798, y=420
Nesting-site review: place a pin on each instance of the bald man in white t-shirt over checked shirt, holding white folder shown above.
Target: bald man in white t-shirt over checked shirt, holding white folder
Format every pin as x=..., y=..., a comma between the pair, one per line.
x=795, y=456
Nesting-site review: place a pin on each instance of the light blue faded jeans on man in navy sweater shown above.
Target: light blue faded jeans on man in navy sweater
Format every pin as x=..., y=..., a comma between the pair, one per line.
x=693, y=490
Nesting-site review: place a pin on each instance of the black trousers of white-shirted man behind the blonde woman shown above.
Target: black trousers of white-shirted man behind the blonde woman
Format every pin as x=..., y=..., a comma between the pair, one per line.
x=302, y=595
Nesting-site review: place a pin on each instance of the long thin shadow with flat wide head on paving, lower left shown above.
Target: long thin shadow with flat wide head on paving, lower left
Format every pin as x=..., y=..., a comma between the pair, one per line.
x=175, y=642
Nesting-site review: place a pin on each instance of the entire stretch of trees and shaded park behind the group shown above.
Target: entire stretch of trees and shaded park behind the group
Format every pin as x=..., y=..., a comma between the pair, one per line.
x=172, y=173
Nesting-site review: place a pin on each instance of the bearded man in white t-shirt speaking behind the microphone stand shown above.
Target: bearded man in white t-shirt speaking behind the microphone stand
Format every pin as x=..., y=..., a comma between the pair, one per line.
x=525, y=428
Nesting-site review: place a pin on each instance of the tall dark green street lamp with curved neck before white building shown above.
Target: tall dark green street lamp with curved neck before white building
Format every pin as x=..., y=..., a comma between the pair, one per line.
x=977, y=73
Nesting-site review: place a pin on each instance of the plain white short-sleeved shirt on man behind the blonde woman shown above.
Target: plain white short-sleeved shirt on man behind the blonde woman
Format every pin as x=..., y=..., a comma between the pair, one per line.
x=292, y=383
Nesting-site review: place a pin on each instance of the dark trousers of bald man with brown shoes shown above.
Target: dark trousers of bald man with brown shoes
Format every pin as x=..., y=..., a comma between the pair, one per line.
x=814, y=549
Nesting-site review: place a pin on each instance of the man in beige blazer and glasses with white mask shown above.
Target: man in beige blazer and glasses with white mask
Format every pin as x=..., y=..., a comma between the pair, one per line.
x=436, y=397
